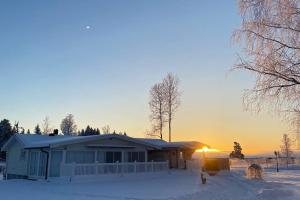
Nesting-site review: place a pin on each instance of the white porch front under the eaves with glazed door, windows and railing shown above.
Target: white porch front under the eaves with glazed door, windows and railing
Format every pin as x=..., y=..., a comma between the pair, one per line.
x=71, y=163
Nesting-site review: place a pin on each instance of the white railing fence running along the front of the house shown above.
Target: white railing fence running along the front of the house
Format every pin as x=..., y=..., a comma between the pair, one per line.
x=112, y=168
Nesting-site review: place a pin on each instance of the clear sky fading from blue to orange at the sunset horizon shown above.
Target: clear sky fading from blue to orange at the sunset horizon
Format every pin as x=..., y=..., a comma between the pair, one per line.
x=98, y=59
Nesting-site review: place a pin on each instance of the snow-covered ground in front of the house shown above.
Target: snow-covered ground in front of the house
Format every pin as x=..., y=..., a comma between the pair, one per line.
x=179, y=185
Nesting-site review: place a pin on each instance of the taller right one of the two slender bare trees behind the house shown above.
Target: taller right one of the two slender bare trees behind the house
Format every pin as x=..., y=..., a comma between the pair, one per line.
x=172, y=98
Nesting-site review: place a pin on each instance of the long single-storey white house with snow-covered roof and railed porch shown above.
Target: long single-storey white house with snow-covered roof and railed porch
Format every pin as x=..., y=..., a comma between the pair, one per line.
x=44, y=157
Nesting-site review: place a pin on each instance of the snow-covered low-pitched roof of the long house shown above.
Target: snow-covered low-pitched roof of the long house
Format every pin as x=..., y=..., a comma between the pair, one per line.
x=43, y=141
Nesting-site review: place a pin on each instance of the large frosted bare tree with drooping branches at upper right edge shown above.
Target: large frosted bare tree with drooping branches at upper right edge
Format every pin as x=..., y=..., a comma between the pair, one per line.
x=270, y=33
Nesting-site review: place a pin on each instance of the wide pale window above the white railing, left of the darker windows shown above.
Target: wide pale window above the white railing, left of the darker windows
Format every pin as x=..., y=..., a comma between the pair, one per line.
x=80, y=157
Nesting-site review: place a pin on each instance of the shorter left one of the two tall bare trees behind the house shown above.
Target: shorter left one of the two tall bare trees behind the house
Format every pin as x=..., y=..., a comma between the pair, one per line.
x=157, y=105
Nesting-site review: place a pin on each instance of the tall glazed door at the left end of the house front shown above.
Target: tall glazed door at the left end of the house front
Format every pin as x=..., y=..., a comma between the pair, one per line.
x=37, y=164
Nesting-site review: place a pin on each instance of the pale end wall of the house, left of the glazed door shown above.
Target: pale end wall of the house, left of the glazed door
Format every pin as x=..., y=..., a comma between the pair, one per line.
x=16, y=164
